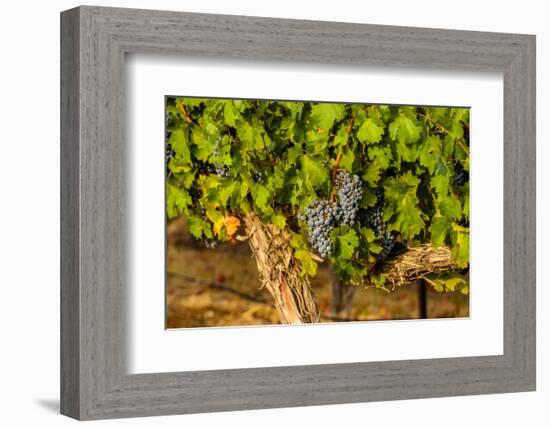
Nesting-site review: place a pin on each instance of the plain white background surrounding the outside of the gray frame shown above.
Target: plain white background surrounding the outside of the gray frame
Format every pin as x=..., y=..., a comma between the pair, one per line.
x=29, y=212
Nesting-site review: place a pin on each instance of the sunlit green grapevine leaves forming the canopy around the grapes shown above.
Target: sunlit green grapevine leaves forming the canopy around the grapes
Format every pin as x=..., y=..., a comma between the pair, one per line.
x=410, y=152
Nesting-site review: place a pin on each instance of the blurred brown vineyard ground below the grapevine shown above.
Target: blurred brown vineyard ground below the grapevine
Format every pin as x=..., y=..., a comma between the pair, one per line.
x=220, y=287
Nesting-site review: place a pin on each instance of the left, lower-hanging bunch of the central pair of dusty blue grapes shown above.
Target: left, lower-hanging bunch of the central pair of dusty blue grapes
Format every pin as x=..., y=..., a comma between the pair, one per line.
x=320, y=220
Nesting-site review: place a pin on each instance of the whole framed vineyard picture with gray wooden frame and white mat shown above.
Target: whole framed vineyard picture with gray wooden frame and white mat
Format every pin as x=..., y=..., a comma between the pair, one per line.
x=261, y=213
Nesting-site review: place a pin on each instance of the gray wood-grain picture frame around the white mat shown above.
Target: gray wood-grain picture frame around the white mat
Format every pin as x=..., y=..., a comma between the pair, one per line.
x=94, y=382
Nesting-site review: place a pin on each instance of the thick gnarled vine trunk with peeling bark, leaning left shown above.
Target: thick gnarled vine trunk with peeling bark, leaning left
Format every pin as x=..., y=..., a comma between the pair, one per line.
x=279, y=272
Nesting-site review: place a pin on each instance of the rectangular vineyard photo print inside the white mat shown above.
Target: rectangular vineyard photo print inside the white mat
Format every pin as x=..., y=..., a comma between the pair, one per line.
x=296, y=212
